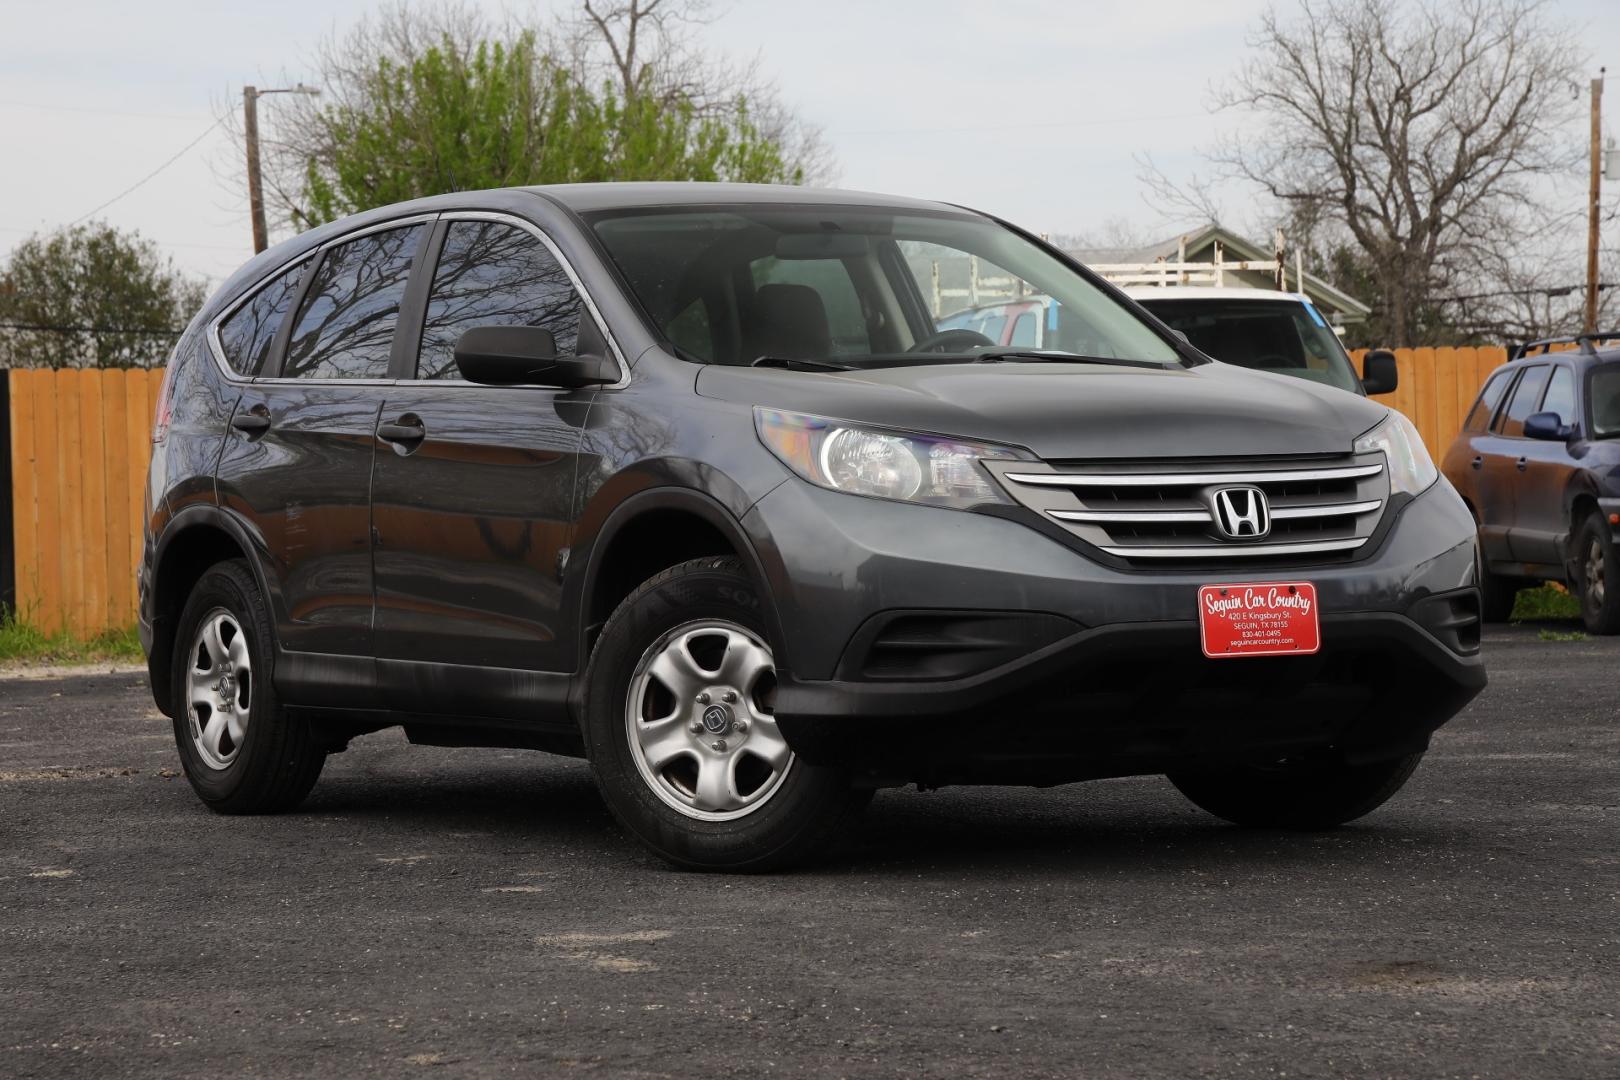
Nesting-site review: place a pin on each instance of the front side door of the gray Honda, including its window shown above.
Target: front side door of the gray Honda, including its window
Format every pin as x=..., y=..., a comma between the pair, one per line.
x=474, y=485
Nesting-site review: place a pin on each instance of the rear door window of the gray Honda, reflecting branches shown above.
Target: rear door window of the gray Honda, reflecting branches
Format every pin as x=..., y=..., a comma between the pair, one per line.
x=346, y=326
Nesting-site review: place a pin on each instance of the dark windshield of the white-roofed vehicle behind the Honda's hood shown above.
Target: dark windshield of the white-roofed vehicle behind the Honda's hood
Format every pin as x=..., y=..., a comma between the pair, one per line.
x=1281, y=336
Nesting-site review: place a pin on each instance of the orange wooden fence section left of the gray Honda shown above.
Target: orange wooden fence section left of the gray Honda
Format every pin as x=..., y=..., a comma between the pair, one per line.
x=80, y=444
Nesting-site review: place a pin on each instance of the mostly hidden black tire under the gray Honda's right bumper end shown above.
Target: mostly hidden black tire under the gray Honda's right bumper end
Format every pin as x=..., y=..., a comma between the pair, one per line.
x=1313, y=797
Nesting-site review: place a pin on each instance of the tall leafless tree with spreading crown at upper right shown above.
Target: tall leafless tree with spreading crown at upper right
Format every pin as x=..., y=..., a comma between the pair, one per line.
x=1420, y=130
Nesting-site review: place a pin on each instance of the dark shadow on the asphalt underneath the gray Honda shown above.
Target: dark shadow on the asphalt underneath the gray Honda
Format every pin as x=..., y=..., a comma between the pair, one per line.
x=1085, y=828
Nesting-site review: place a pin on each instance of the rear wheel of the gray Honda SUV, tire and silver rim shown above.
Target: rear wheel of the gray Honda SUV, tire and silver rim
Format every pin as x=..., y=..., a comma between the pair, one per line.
x=265, y=762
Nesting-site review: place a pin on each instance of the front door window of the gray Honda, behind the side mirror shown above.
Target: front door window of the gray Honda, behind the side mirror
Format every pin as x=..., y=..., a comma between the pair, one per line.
x=495, y=274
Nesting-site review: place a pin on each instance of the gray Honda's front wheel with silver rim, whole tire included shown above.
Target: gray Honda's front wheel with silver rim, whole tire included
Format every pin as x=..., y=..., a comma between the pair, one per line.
x=680, y=729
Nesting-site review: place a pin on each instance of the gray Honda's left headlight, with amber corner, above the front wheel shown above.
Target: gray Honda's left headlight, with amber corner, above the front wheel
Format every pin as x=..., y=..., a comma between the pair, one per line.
x=882, y=464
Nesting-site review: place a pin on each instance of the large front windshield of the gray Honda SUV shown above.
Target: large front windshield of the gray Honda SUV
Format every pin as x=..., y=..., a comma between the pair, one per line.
x=861, y=287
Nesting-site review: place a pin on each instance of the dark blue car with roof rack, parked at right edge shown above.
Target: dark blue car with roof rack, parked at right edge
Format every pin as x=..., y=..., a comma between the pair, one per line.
x=1538, y=462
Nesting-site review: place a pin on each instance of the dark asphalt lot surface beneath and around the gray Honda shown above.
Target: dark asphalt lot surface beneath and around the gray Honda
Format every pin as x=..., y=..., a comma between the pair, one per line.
x=477, y=914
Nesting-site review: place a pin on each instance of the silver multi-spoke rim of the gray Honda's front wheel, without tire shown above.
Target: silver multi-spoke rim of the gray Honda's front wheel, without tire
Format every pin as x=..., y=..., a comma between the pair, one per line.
x=701, y=721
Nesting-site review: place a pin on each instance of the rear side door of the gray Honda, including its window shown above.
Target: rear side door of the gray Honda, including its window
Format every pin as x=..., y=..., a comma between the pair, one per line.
x=297, y=466
